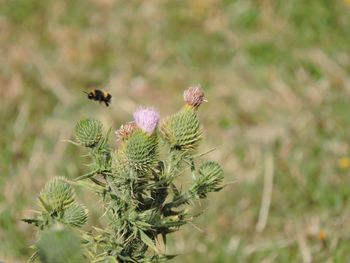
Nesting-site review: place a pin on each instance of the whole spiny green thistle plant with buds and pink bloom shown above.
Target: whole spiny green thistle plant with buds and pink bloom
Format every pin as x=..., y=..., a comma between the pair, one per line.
x=139, y=184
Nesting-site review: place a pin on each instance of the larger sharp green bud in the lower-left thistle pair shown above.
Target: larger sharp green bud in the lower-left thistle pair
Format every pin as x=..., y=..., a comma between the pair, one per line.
x=57, y=194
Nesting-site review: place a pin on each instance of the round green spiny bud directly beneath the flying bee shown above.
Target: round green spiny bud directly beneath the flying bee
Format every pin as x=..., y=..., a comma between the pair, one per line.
x=88, y=132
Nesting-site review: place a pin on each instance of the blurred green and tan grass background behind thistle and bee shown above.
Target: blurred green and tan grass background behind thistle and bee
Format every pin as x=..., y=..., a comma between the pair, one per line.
x=276, y=74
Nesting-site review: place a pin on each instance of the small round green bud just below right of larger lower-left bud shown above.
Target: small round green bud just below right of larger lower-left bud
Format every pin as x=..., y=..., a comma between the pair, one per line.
x=75, y=215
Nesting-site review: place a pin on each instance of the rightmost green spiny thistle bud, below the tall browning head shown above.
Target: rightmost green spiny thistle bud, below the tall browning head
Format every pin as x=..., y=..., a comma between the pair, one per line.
x=209, y=180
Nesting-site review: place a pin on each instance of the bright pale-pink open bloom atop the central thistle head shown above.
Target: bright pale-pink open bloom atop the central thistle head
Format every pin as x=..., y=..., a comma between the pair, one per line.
x=146, y=119
